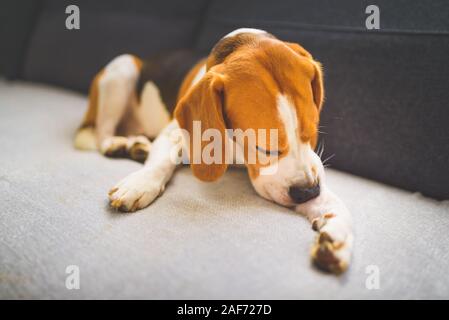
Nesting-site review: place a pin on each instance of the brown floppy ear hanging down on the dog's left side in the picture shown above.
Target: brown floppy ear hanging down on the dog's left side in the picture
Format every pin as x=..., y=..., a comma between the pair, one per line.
x=204, y=103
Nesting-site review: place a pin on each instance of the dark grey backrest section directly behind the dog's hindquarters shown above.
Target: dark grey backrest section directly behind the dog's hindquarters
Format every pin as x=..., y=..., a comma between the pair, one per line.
x=70, y=58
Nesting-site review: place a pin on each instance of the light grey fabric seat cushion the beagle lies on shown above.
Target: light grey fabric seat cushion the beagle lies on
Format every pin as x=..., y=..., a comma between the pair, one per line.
x=198, y=240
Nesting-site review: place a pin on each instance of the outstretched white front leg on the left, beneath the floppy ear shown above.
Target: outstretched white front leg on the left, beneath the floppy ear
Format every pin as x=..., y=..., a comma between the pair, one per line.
x=142, y=187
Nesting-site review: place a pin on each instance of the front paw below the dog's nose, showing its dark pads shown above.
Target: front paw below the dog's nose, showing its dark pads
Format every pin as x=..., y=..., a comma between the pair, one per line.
x=332, y=249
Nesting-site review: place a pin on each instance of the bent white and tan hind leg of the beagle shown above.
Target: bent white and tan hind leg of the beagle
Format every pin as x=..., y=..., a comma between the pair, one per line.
x=111, y=96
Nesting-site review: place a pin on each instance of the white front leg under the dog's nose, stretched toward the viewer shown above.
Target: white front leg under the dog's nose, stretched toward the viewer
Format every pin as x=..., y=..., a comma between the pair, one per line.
x=332, y=220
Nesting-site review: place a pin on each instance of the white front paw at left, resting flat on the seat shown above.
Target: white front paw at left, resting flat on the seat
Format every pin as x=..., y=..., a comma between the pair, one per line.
x=136, y=191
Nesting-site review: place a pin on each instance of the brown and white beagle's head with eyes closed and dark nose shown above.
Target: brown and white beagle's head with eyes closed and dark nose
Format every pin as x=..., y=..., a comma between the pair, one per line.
x=255, y=81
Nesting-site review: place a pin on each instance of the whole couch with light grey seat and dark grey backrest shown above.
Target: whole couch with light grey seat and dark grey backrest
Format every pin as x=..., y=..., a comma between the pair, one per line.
x=385, y=119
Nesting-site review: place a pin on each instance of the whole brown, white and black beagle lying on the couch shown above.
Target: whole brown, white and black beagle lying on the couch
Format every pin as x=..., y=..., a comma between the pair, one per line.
x=250, y=80
